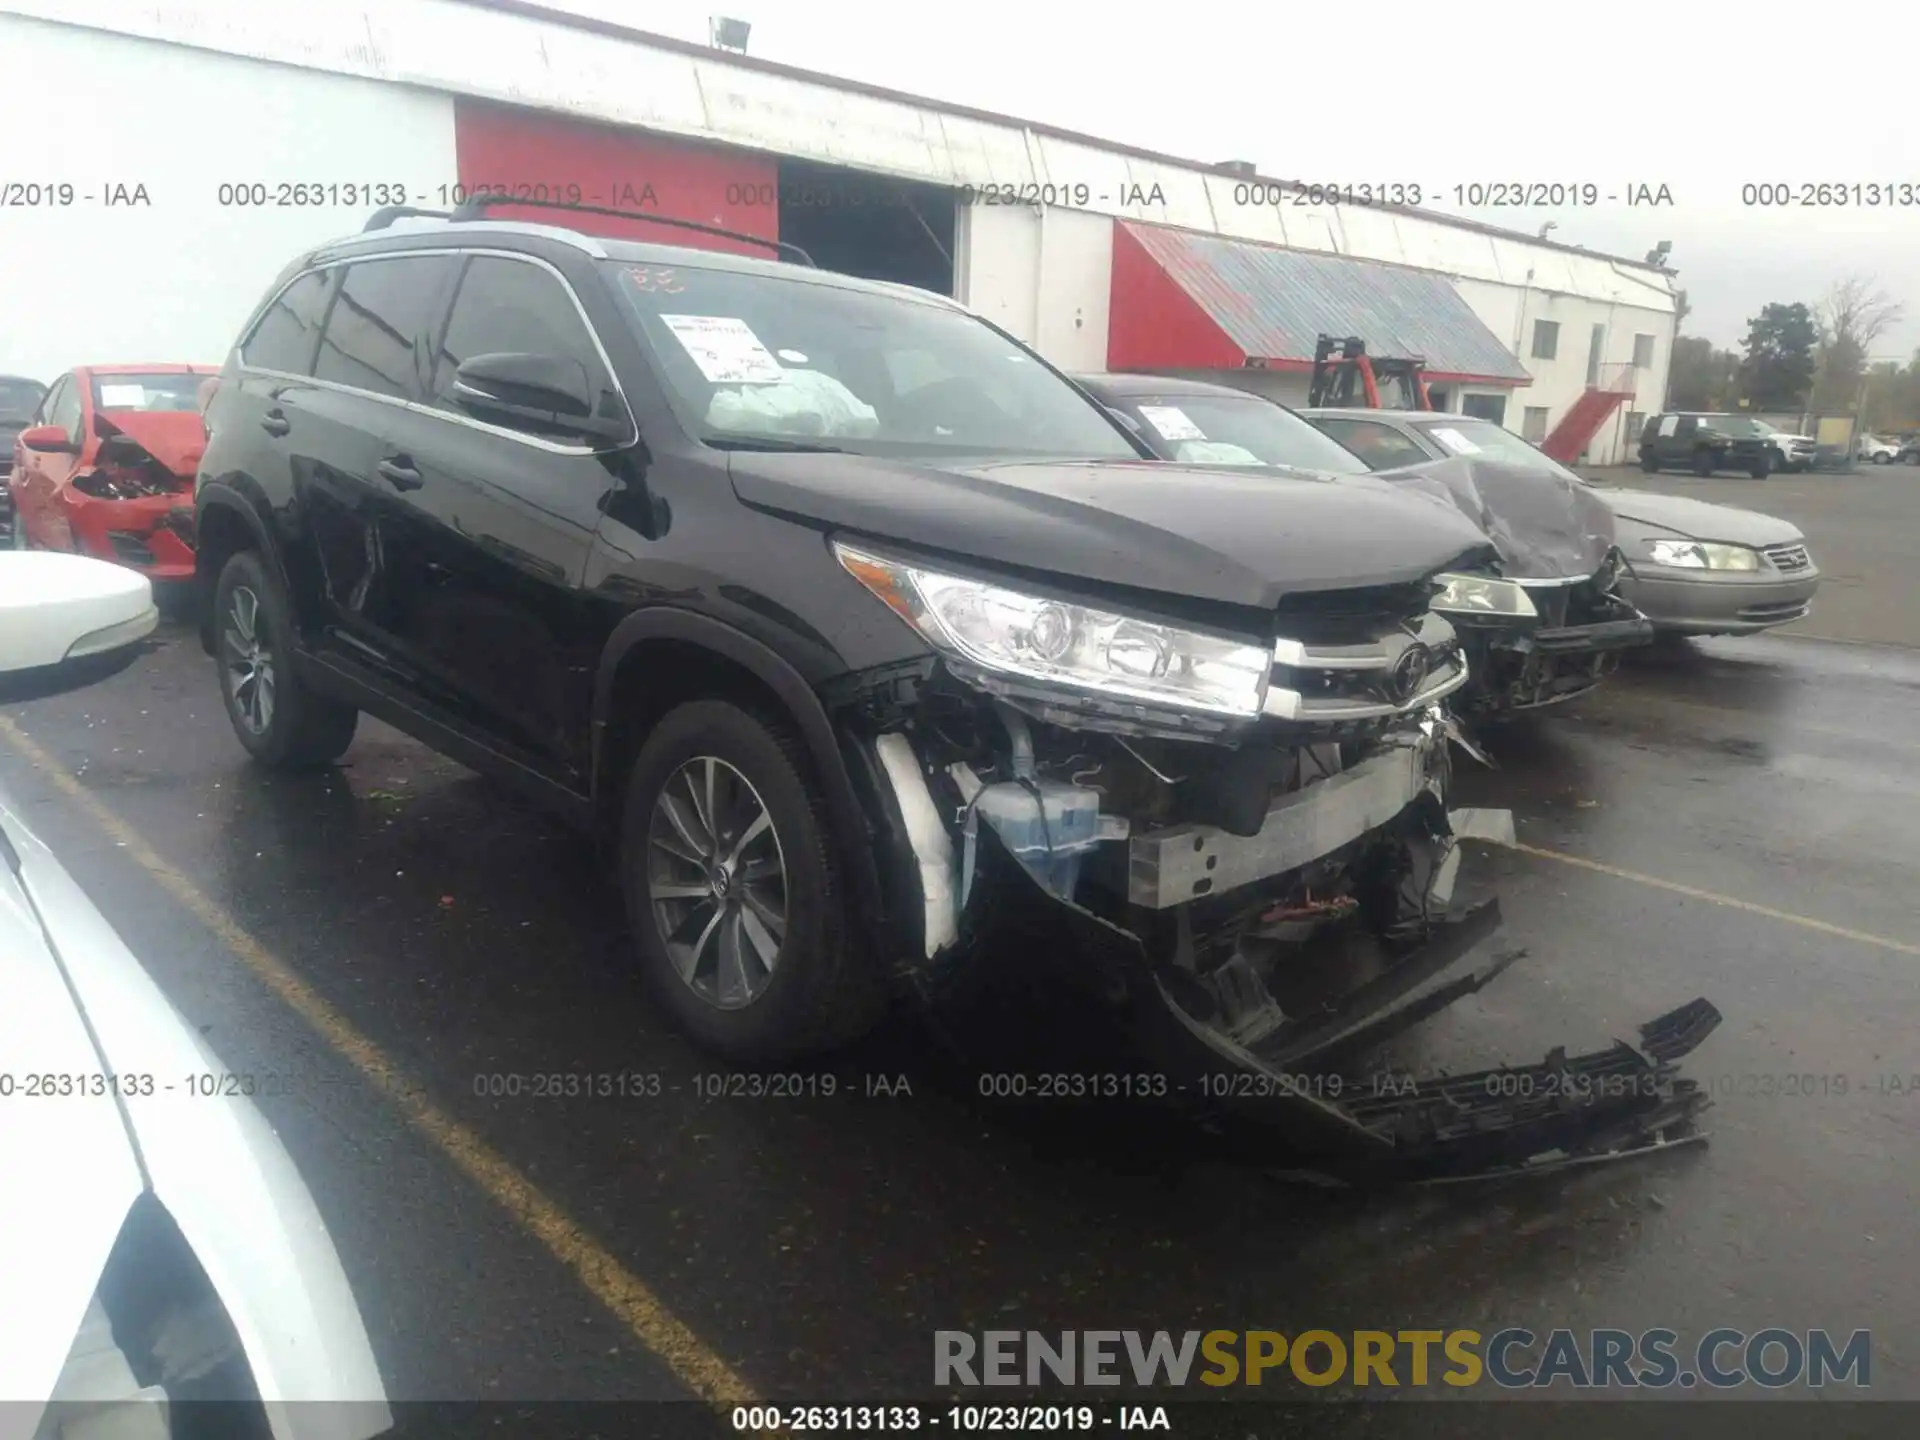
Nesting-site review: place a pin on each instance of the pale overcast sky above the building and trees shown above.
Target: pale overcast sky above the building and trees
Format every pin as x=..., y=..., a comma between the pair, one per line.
x=1443, y=97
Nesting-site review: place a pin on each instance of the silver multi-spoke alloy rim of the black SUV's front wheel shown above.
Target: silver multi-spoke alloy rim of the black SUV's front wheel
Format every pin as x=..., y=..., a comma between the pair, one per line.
x=717, y=882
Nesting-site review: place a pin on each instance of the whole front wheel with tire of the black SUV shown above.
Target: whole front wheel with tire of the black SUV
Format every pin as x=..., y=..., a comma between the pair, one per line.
x=734, y=890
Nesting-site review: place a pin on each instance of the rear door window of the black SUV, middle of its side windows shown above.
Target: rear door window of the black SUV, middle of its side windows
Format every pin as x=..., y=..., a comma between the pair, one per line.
x=379, y=322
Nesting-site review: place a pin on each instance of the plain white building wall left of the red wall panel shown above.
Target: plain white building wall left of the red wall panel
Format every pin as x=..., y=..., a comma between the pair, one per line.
x=176, y=279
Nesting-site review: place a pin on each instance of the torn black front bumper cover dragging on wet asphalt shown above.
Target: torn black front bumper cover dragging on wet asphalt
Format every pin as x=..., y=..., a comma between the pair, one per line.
x=1295, y=1086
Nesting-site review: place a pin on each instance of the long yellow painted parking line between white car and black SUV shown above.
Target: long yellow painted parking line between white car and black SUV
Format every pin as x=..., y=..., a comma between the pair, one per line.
x=600, y=1272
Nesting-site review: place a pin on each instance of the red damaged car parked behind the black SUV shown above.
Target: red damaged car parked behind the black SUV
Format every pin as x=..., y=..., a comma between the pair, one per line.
x=108, y=468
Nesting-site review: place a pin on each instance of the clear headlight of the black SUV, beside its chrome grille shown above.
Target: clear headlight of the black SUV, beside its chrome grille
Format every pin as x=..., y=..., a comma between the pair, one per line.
x=1063, y=644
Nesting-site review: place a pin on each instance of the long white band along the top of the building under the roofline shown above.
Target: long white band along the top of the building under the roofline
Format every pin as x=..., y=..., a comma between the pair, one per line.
x=448, y=47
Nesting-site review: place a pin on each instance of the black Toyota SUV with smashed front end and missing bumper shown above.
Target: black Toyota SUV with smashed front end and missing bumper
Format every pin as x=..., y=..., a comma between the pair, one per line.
x=867, y=642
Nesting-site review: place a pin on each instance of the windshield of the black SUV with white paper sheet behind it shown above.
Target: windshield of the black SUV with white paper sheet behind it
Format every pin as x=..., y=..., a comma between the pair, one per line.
x=765, y=360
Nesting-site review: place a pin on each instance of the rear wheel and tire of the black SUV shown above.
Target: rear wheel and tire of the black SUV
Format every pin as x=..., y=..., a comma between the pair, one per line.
x=276, y=715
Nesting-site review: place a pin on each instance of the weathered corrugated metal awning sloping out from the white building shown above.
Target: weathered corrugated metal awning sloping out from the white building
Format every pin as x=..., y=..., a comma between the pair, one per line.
x=1274, y=304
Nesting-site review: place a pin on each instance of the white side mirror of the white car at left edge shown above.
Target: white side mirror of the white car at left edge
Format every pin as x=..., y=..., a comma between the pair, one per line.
x=68, y=621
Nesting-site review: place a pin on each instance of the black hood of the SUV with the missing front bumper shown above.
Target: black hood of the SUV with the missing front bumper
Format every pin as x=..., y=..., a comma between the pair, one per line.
x=1228, y=535
